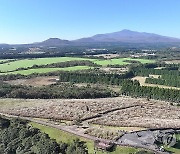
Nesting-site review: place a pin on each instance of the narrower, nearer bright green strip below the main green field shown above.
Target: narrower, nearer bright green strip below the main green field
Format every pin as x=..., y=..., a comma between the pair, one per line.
x=47, y=70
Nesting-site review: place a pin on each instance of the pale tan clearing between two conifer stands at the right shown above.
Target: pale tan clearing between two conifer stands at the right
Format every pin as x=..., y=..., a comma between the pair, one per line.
x=142, y=82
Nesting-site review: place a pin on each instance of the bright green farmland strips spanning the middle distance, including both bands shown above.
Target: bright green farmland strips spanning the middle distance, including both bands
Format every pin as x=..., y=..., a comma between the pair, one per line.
x=24, y=63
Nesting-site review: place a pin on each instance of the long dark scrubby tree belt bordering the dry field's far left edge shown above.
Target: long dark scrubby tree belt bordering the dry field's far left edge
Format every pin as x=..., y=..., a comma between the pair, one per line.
x=54, y=91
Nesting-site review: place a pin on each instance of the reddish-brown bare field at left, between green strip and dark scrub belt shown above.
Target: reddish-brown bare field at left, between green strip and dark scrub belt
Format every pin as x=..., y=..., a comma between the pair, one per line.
x=38, y=81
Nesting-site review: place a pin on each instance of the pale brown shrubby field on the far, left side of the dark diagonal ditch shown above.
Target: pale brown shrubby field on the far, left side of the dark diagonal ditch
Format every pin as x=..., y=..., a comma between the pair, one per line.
x=65, y=109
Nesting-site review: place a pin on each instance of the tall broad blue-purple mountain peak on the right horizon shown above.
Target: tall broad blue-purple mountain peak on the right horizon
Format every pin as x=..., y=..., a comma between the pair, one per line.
x=128, y=36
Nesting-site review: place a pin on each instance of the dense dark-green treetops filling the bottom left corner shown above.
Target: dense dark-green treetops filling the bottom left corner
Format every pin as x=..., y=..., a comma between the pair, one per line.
x=19, y=138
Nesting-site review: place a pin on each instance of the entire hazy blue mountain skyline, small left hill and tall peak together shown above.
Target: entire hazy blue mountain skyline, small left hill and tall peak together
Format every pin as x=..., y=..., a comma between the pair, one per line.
x=124, y=36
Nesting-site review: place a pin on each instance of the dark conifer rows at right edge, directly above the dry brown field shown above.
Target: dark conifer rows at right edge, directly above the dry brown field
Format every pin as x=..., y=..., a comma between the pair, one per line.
x=133, y=88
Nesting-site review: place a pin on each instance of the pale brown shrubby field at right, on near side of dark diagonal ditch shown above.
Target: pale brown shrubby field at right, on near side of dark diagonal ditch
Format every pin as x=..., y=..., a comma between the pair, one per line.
x=155, y=115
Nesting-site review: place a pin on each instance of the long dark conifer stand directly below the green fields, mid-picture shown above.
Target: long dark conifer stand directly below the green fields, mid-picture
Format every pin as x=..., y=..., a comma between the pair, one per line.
x=111, y=79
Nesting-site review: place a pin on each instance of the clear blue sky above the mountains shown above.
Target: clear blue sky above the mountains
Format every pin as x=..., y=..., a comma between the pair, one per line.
x=25, y=21
